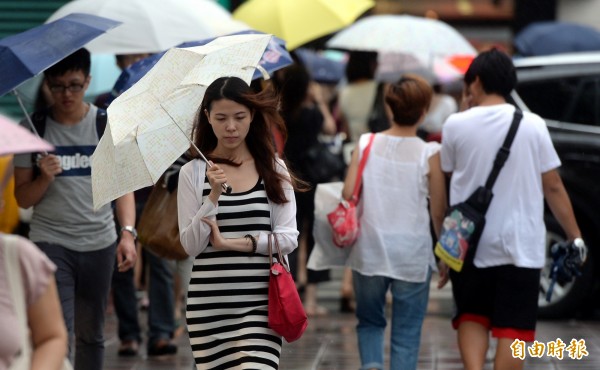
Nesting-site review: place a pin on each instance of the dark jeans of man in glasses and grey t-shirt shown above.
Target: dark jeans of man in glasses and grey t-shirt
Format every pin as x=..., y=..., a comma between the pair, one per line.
x=83, y=281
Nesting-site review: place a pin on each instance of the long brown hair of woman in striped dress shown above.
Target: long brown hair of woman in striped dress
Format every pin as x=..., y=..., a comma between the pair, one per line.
x=264, y=106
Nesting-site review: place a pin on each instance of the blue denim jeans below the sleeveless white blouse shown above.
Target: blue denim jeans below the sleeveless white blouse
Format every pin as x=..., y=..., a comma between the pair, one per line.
x=408, y=312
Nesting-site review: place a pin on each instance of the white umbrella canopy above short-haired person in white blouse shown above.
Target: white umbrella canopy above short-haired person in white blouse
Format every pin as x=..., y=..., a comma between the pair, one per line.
x=423, y=38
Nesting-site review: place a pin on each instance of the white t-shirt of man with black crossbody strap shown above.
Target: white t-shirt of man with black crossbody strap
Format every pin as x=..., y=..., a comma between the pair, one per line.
x=514, y=232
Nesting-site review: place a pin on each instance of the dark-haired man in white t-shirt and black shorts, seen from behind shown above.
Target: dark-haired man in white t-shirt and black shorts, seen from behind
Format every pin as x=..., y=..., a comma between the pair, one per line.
x=497, y=292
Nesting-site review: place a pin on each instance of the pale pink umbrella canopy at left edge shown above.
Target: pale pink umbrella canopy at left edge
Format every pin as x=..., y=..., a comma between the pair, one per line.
x=15, y=139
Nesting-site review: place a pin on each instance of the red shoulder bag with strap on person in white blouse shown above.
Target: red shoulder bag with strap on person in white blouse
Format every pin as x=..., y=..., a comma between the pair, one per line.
x=344, y=218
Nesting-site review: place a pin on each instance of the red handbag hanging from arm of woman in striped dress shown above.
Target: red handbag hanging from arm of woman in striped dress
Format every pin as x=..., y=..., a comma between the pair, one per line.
x=286, y=313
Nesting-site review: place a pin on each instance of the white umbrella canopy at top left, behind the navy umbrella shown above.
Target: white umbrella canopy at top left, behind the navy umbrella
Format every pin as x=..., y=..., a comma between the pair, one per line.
x=151, y=26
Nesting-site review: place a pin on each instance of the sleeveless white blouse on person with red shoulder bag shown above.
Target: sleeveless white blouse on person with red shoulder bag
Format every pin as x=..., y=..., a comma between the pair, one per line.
x=395, y=239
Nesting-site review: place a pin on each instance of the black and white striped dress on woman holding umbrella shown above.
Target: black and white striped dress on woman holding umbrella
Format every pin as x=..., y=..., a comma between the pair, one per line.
x=227, y=297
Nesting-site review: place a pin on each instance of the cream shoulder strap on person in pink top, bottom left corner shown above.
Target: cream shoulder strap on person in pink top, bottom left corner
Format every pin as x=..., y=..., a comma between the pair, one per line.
x=15, y=284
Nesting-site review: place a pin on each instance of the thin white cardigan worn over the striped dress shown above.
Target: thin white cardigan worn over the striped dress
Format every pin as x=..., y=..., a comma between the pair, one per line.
x=192, y=207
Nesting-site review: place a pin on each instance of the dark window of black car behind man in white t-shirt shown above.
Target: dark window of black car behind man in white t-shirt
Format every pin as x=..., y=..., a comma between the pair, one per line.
x=572, y=99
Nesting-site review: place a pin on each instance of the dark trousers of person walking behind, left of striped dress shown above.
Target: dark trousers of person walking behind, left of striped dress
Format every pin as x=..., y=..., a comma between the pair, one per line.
x=161, y=309
